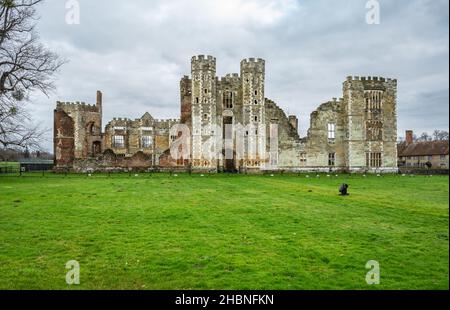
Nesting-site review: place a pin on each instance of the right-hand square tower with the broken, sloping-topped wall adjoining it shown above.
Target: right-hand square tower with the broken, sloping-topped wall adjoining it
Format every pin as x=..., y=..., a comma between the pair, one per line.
x=357, y=132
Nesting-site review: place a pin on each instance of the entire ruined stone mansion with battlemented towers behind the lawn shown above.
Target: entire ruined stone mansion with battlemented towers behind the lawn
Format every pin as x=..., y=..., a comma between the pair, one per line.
x=356, y=133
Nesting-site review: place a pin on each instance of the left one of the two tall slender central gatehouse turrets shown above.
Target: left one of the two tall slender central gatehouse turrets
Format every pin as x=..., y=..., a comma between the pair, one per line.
x=204, y=114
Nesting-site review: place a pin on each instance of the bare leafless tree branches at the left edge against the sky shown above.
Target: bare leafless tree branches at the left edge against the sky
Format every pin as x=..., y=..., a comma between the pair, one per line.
x=26, y=66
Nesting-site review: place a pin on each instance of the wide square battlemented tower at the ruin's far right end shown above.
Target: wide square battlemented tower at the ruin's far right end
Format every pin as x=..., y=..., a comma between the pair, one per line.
x=370, y=115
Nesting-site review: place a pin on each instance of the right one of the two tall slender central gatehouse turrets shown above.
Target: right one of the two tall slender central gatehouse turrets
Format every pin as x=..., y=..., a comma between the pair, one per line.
x=253, y=114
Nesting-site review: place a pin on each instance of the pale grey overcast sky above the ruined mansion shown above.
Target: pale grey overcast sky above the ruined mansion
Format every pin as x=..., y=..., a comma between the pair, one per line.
x=136, y=51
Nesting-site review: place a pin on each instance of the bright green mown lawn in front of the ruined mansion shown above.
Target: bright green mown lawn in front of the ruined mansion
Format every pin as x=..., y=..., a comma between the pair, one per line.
x=224, y=232
